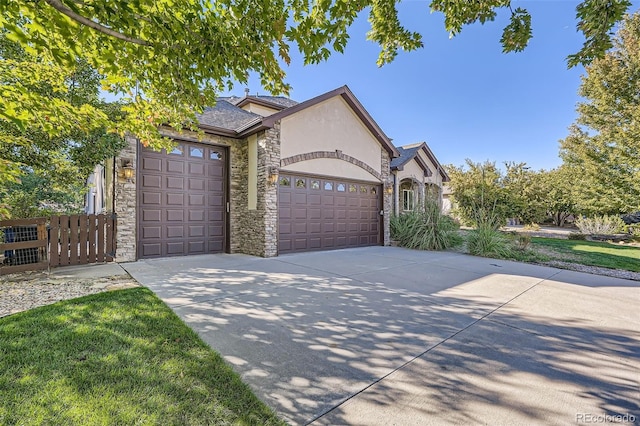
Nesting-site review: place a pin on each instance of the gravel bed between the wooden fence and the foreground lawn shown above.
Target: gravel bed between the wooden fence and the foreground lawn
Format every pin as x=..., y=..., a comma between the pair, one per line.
x=28, y=290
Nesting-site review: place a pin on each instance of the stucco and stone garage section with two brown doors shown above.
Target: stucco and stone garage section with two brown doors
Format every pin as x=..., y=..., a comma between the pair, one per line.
x=269, y=176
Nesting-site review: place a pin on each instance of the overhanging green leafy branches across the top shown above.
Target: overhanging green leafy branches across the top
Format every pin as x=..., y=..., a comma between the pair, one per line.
x=171, y=57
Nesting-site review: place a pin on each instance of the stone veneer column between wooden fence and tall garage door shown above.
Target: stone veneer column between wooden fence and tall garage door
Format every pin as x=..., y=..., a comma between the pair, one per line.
x=125, y=204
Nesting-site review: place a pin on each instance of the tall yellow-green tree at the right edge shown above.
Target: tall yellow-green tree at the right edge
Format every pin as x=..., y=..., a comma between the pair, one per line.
x=604, y=143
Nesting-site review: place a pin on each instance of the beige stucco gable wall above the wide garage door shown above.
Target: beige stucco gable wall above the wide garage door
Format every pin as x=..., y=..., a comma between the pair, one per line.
x=329, y=126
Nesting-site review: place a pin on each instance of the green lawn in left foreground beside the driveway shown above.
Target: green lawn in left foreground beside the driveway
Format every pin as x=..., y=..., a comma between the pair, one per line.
x=120, y=357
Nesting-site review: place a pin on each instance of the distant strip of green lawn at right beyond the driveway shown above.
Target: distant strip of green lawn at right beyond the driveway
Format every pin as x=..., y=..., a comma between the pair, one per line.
x=606, y=255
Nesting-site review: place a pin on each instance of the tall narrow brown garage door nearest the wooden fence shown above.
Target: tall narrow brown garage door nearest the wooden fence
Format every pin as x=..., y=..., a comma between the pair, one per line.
x=181, y=201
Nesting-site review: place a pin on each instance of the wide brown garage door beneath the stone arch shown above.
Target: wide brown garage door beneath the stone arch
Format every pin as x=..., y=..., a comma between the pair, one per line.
x=319, y=213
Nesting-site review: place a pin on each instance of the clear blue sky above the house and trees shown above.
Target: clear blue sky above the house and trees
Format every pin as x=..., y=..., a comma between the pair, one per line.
x=463, y=96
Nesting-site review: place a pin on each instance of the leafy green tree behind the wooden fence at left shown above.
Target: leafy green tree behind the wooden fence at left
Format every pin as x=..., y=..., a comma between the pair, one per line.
x=63, y=139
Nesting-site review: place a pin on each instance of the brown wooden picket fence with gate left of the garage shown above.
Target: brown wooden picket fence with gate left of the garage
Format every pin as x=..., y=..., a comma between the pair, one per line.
x=67, y=240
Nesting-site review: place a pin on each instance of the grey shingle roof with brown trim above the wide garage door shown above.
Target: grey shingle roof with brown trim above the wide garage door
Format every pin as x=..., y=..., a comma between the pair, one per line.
x=233, y=121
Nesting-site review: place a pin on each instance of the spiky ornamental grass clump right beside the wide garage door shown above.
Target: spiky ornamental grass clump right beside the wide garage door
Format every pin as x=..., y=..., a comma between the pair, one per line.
x=425, y=228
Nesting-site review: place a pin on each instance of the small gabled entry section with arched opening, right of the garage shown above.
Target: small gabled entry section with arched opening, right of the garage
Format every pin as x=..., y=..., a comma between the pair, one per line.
x=416, y=175
